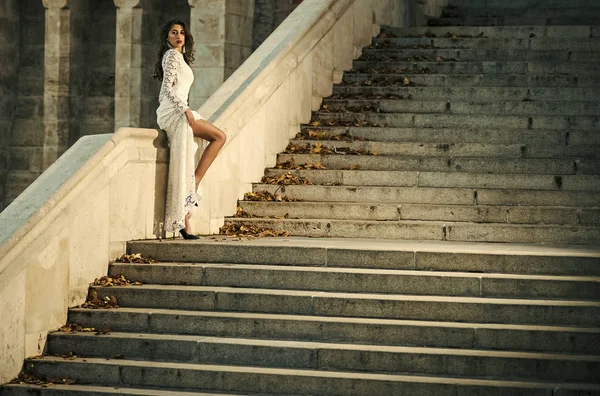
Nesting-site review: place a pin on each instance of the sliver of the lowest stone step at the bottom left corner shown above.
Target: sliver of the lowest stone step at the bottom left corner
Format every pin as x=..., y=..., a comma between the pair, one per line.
x=94, y=390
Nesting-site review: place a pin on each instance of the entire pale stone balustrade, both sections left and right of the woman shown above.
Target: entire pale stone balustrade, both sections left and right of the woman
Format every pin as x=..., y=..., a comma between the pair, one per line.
x=63, y=230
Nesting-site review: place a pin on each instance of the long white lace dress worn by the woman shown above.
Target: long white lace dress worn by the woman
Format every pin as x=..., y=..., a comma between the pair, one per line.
x=181, y=187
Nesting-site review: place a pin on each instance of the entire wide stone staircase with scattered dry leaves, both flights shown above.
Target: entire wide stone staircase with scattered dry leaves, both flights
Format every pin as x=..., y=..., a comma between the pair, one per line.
x=442, y=142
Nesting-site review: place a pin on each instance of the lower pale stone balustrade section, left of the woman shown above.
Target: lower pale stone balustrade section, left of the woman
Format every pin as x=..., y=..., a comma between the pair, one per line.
x=63, y=230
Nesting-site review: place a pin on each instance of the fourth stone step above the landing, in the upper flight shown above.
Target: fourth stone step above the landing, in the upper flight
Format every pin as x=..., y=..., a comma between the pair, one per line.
x=467, y=179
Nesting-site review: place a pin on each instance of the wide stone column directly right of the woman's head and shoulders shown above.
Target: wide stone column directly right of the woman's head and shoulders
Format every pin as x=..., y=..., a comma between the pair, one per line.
x=222, y=30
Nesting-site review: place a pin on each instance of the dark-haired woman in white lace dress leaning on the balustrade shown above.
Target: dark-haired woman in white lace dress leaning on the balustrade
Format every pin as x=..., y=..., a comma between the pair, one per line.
x=182, y=125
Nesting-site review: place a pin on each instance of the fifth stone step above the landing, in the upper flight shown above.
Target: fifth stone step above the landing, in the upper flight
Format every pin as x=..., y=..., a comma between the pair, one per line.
x=424, y=163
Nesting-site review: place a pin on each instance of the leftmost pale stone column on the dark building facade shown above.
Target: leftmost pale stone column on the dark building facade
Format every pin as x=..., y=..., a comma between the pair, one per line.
x=56, y=80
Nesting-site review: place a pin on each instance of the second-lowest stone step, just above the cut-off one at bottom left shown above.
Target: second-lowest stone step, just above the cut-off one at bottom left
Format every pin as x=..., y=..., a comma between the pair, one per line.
x=284, y=381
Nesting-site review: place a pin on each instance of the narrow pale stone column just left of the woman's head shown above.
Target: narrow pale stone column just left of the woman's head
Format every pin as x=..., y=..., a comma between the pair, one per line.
x=128, y=61
